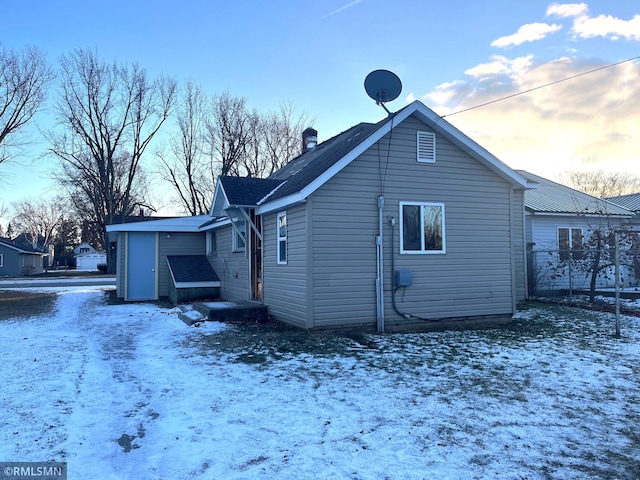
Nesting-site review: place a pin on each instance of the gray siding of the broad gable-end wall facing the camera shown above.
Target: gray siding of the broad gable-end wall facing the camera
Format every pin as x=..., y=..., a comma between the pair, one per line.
x=473, y=278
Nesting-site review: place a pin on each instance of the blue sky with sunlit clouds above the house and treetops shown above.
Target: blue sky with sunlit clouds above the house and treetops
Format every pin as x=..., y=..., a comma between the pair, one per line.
x=449, y=55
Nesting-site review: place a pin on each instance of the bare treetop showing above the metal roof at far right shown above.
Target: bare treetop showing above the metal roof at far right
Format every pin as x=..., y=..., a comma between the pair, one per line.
x=601, y=184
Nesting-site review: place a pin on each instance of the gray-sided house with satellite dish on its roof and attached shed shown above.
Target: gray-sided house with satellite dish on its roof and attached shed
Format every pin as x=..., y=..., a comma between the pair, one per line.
x=400, y=224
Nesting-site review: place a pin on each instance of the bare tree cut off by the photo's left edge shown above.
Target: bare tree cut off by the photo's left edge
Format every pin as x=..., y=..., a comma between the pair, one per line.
x=24, y=77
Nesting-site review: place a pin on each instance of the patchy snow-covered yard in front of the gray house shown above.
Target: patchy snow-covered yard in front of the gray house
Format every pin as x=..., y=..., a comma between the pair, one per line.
x=131, y=392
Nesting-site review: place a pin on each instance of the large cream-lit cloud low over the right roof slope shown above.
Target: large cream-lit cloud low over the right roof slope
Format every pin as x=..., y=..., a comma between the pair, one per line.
x=551, y=129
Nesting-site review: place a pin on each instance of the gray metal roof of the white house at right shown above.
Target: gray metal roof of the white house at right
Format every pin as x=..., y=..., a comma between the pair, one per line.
x=554, y=198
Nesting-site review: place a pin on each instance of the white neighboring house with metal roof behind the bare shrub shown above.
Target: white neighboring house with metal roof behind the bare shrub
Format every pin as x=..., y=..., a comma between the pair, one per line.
x=558, y=220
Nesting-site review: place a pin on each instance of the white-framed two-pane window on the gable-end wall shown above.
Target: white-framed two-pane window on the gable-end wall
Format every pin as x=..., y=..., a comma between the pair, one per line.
x=422, y=227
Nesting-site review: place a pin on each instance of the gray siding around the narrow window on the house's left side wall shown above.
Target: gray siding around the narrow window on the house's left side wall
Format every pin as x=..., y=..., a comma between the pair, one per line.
x=285, y=286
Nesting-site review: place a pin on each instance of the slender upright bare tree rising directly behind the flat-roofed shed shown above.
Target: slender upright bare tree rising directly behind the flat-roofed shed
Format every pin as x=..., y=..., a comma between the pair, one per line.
x=185, y=166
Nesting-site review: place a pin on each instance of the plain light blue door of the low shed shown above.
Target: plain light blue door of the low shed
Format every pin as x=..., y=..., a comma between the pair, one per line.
x=141, y=266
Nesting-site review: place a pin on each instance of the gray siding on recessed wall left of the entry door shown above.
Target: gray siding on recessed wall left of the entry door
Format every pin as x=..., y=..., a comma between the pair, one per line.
x=231, y=267
